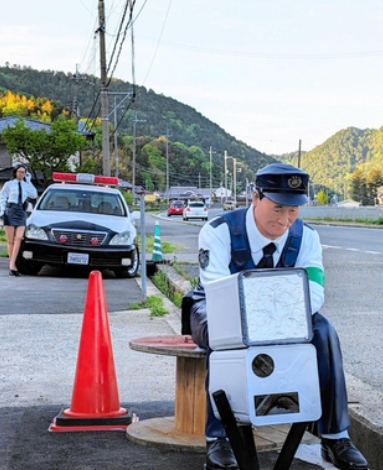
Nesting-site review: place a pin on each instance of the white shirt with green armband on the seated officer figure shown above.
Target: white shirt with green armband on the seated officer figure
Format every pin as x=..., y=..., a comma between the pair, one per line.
x=215, y=241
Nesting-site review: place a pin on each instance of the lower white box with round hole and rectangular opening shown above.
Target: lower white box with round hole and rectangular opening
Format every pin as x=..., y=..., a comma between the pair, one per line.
x=268, y=385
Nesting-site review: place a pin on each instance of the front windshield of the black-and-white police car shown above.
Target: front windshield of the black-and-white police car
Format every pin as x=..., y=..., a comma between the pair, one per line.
x=80, y=200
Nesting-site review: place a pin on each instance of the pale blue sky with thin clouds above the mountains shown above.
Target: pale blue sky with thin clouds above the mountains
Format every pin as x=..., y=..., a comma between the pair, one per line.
x=269, y=72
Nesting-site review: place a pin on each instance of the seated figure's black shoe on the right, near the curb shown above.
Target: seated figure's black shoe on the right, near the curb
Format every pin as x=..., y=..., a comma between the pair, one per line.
x=343, y=454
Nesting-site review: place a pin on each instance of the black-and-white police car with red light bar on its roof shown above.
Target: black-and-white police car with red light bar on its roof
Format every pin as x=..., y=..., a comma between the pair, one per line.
x=80, y=220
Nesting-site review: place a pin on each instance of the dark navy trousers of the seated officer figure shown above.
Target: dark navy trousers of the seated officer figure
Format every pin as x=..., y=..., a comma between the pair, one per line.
x=330, y=369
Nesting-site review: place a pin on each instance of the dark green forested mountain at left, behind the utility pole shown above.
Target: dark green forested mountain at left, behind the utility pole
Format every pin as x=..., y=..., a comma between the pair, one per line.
x=186, y=125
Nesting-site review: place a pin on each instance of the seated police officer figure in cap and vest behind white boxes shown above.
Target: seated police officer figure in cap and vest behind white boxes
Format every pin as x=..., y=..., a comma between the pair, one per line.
x=273, y=215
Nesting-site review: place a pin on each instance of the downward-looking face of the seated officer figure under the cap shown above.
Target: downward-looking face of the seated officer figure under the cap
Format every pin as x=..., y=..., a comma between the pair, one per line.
x=272, y=219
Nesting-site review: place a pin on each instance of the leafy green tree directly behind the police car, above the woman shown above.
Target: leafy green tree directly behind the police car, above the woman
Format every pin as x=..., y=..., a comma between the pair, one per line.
x=44, y=151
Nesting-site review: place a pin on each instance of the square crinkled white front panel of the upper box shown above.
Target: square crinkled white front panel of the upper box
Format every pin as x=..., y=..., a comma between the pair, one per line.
x=275, y=307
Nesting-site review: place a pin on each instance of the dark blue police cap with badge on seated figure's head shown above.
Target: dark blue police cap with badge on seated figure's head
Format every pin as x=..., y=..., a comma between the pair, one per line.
x=283, y=184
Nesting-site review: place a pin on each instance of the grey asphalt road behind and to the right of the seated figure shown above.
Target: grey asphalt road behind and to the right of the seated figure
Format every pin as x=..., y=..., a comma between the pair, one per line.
x=353, y=260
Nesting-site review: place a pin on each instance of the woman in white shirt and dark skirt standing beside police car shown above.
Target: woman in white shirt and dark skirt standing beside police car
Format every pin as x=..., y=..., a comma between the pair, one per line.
x=13, y=201
